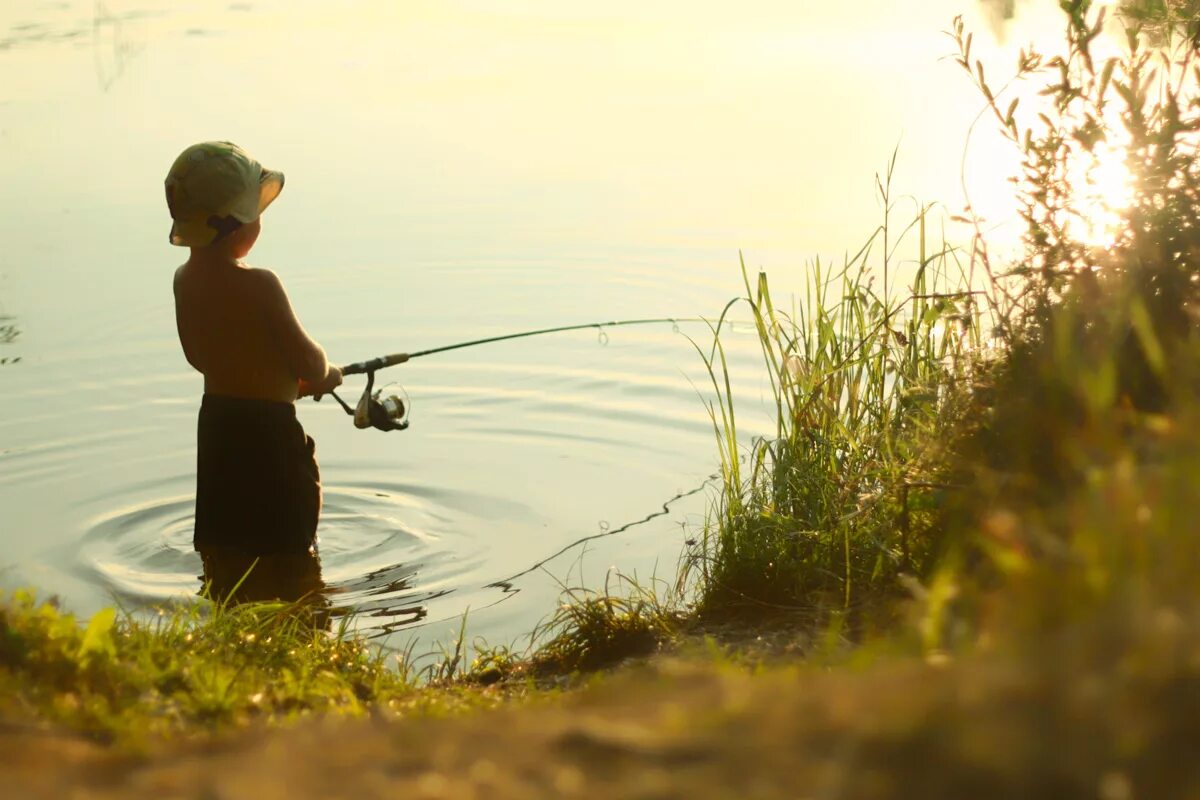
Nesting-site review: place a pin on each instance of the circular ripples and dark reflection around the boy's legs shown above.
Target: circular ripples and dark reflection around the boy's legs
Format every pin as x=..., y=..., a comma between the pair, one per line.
x=375, y=564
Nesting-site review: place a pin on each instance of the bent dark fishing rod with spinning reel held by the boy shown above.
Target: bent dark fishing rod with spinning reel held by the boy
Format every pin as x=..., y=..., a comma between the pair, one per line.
x=392, y=413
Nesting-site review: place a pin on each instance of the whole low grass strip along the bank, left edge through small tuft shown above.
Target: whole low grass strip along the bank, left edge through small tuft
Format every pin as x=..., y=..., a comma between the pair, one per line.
x=205, y=669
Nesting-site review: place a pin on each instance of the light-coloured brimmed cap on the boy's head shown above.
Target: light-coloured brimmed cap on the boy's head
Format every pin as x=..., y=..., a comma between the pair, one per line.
x=214, y=189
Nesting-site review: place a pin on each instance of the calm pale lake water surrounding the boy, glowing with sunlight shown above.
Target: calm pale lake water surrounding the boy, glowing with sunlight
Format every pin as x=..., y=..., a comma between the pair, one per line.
x=455, y=170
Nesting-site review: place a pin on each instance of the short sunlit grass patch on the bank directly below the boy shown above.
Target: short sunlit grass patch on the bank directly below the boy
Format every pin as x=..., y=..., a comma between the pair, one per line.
x=189, y=669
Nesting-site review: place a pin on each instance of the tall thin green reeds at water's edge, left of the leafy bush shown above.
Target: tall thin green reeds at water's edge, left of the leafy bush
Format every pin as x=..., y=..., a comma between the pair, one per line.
x=825, y=513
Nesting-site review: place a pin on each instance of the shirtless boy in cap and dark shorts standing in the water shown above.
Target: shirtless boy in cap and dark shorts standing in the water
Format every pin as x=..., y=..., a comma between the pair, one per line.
x=257, y=485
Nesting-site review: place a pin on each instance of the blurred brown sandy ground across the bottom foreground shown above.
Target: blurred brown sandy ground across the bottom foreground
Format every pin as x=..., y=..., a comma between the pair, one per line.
x=680, y=729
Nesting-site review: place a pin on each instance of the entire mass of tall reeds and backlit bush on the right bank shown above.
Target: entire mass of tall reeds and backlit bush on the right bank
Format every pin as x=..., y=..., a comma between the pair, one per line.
x=1029, y=438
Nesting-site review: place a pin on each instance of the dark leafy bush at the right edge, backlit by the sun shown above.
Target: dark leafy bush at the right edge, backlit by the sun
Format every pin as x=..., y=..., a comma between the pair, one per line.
x=1079, y=456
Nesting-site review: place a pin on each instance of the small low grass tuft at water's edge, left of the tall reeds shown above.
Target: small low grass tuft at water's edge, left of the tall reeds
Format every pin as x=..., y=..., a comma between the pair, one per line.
x=595, y=629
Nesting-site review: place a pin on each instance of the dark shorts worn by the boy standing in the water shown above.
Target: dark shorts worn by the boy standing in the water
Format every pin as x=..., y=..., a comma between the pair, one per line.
x=257, y=485
